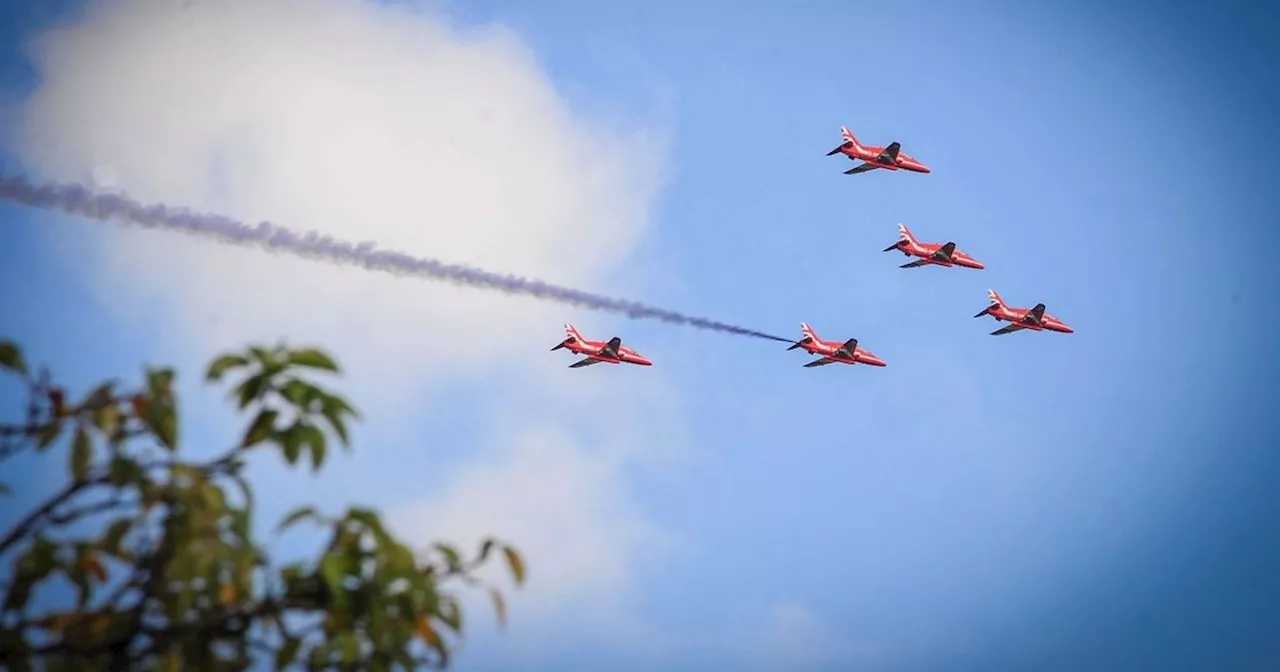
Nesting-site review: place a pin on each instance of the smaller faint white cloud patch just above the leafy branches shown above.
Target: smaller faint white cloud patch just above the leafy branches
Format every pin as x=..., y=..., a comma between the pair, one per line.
x=564, y=506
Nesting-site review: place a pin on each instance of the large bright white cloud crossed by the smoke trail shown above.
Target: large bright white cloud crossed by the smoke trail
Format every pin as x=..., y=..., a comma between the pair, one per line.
x=362, y=122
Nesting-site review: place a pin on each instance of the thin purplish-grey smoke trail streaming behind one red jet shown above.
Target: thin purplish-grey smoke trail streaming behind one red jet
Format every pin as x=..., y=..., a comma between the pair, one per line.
x=79, y=200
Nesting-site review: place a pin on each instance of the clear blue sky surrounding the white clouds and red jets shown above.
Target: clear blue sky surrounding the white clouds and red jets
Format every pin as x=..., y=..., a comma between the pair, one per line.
x=1096, y=500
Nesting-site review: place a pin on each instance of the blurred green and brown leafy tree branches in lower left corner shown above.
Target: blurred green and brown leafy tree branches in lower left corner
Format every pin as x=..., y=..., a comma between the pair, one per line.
x=173, y=579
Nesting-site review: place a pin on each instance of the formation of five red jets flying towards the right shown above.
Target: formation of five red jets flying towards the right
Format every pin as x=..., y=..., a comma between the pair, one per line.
x=889, y=158
